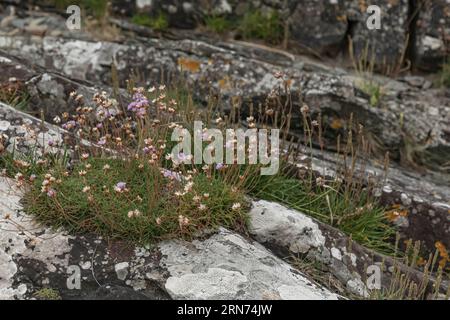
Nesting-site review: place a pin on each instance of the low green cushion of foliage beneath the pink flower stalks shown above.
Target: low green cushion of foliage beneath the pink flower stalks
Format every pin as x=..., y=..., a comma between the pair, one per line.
x=104, y=211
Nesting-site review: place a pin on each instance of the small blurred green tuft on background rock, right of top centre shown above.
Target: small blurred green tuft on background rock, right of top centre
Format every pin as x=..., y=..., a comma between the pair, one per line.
x=264, y=26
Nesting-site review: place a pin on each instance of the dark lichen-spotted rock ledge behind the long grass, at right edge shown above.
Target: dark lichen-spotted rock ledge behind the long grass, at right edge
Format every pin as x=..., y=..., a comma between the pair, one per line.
x=424, y=198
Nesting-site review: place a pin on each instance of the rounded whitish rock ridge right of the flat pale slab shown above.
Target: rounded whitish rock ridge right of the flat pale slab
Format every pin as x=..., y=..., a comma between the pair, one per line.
x=290, y=232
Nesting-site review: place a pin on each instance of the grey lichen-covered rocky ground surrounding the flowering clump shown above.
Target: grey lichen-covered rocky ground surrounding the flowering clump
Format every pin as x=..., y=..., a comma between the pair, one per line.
x=411, y=121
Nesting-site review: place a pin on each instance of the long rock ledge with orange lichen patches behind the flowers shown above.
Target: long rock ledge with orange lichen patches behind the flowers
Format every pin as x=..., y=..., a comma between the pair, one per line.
x=401, y=124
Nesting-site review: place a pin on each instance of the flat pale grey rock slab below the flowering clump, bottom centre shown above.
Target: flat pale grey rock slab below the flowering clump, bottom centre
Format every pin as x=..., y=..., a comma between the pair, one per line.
x=227, y=266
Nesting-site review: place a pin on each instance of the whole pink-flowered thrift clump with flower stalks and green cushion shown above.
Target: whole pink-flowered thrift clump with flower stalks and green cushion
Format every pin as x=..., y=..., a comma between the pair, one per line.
x=125, y=183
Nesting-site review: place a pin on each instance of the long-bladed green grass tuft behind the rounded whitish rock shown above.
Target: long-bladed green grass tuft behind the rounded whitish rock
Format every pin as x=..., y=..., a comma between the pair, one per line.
x=351, y=211
